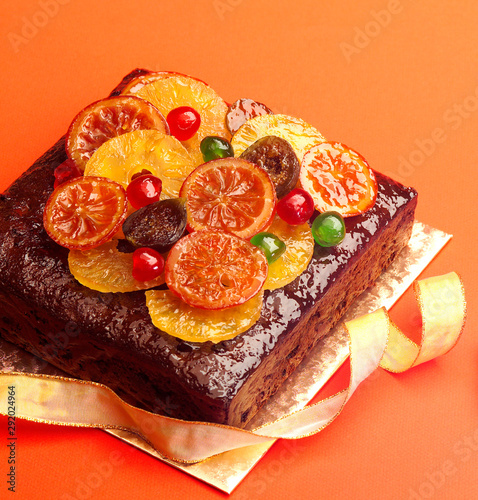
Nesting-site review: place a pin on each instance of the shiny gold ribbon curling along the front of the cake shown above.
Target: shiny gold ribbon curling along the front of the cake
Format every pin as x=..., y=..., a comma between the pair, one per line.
x=374, y=341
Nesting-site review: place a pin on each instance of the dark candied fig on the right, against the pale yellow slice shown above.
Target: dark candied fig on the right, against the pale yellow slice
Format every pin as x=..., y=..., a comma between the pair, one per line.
x=277, y=158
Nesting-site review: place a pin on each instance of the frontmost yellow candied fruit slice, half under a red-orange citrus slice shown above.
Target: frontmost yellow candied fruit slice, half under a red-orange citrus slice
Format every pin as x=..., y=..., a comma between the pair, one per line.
x=170, y=314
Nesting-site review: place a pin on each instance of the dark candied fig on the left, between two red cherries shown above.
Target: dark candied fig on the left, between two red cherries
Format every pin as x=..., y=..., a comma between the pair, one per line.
x=158, y=225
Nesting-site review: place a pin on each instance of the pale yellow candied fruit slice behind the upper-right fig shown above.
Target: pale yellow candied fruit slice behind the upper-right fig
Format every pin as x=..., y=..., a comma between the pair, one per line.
x=298, y=133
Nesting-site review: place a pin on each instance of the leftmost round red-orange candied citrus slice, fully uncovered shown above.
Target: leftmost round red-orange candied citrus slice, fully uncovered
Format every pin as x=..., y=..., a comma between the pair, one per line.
x=85, y=212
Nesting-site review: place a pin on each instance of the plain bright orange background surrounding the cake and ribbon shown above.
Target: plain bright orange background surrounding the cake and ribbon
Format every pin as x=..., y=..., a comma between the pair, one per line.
x=395, y=80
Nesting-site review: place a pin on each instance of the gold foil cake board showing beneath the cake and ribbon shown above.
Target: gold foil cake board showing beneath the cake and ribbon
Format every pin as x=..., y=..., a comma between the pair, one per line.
x=227, y=470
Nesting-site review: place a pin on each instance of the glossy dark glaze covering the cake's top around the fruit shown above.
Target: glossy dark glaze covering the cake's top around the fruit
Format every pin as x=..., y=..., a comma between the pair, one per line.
x=34, y=272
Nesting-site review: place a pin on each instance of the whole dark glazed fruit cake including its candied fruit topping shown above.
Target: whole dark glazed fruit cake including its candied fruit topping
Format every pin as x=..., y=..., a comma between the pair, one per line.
x=60, y=297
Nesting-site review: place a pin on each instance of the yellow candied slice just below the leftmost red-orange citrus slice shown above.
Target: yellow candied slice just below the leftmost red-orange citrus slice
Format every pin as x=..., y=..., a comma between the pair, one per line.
x=106, y=269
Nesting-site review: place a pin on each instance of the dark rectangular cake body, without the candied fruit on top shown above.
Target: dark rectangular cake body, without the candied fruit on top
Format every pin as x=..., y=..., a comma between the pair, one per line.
x=109, y=337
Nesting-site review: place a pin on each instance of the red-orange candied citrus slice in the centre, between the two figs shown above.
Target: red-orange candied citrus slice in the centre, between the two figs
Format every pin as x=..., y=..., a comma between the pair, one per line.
x=230, y=194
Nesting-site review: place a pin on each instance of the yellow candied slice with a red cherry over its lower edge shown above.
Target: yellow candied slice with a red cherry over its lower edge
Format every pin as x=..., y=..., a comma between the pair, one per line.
x=163, y=155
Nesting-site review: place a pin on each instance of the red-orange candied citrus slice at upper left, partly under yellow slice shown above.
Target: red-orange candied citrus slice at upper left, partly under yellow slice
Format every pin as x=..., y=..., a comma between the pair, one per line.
x=108, y=118
